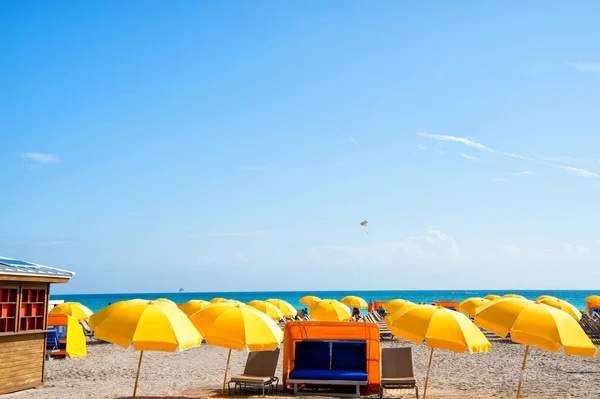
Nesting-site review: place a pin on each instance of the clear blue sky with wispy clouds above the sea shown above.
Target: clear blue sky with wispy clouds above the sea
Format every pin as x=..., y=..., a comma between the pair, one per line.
x=238, y=145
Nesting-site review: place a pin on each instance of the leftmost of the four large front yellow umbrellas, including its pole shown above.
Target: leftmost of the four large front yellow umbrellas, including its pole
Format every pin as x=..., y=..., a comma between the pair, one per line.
x=154, y=326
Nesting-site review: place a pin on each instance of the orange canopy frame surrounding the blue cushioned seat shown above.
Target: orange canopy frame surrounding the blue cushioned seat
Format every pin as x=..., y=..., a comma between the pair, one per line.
x=296, y=331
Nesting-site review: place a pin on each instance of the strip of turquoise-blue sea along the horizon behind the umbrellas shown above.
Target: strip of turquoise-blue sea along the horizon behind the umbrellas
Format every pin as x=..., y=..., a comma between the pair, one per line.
x=97, y=301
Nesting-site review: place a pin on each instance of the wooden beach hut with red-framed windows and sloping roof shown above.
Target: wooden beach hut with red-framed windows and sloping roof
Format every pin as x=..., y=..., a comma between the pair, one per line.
x=24, y=293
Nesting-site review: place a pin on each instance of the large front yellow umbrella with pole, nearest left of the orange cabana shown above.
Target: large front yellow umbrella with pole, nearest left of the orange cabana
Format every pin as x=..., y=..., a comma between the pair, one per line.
x=237, y=327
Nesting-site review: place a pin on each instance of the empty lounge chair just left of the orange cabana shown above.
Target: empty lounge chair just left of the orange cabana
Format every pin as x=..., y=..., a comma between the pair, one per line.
x=259, y=371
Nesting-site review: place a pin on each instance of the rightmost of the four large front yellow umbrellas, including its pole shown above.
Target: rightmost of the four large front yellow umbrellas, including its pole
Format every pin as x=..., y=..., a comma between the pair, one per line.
x=534, y=324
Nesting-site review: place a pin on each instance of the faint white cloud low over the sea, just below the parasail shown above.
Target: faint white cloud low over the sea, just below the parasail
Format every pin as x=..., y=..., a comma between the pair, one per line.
x=433, y=245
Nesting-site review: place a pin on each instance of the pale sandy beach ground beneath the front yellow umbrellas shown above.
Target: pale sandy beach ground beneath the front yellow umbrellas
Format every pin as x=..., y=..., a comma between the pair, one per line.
x=109, y=372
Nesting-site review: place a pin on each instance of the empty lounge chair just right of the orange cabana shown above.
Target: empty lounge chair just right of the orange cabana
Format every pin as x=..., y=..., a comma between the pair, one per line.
x=397, y=370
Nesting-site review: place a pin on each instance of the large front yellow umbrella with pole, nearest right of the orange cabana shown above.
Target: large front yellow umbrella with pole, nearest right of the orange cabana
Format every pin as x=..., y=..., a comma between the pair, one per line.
x=439, y=328
